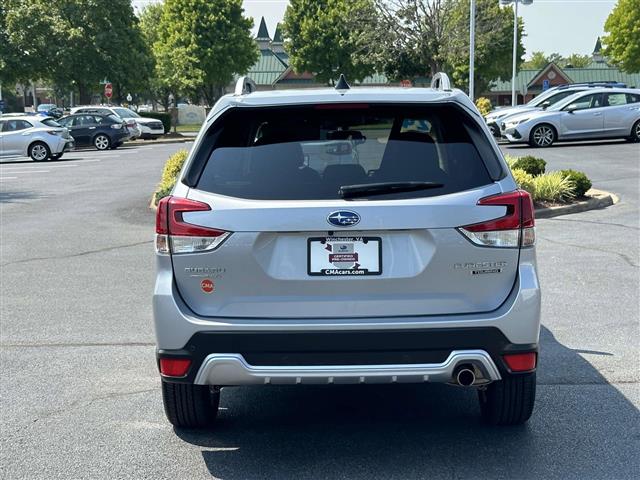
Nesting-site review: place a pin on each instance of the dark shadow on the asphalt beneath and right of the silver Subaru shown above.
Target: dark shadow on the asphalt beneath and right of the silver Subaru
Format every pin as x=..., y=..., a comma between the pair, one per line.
x=580, y=429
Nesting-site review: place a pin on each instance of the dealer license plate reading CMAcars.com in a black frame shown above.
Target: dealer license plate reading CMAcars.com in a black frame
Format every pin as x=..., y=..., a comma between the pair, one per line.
x=344, y=256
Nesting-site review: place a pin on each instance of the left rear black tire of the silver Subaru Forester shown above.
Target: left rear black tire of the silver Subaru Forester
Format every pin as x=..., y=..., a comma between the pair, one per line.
x=190, y=406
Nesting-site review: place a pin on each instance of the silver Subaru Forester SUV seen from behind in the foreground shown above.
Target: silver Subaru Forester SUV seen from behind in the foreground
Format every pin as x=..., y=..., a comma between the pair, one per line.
x=346, y=236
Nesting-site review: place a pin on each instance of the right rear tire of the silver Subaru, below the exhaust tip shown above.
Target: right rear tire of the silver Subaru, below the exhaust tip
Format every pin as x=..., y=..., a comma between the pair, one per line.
x=510, y=400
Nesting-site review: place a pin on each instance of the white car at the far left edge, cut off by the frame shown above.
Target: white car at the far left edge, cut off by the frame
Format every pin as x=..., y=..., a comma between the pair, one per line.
x=40, y=138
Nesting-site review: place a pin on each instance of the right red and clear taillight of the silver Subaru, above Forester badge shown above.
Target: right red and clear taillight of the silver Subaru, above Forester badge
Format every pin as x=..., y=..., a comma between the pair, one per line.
x=516, y=228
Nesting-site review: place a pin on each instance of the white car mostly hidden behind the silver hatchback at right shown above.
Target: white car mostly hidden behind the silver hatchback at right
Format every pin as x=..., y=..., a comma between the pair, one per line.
x=544, y=100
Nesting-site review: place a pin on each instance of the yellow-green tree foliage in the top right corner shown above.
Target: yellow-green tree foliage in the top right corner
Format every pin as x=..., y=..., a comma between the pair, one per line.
x=622, y=42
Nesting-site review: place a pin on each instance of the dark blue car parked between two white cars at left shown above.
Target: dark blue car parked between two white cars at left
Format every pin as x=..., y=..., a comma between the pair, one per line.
x=101, y=131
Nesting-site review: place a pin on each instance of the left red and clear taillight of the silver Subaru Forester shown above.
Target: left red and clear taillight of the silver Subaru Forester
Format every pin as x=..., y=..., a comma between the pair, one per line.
x=174, y=235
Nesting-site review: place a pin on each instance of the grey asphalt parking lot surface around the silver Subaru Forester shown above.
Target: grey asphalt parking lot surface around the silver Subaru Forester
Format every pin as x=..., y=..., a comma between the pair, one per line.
x=80, y=394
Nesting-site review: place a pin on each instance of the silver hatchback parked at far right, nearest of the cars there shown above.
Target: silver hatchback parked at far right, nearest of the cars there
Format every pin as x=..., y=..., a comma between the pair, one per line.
x=594, y=114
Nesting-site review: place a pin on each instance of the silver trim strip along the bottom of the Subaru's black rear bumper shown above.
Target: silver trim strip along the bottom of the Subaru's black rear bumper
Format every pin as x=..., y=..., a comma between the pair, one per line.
x=232, y=369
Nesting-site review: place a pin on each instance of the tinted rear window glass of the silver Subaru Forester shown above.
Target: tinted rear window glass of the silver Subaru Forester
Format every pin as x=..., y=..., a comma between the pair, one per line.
x=310, y=152
